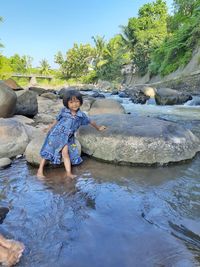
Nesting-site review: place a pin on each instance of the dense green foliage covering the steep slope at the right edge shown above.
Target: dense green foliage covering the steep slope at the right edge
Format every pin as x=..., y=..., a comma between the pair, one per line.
x=176, y=50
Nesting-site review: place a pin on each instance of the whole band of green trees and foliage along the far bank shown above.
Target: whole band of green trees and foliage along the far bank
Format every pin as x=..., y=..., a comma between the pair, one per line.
x=155, y=42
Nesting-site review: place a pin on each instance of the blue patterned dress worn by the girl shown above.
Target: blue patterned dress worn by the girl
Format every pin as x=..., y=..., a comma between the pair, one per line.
x=63, y=134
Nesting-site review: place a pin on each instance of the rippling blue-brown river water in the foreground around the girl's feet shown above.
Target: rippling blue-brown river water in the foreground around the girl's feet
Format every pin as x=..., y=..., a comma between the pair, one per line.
x=109, y=216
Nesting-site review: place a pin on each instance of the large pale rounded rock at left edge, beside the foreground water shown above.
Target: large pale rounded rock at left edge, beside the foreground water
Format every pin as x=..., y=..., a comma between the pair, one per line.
x=14, y=138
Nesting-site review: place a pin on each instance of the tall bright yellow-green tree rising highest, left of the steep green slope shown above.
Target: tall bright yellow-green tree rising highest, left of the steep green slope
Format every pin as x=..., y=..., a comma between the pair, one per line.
x=144, y=34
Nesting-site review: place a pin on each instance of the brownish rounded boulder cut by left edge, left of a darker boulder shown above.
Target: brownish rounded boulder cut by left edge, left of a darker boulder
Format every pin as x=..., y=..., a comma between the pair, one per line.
x=8, y=99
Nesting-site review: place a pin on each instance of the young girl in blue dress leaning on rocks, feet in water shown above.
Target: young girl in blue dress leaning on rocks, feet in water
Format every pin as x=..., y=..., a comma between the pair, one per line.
x=60, y=138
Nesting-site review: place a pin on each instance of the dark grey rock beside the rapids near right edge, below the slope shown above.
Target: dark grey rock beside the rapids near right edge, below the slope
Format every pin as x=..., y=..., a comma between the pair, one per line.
x=167, y=96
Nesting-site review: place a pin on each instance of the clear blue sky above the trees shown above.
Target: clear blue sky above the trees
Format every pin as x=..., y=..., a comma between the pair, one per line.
x=41, y=28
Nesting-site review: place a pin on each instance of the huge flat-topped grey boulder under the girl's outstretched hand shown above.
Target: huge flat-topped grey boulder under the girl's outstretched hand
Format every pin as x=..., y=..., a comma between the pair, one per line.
x=138, y=140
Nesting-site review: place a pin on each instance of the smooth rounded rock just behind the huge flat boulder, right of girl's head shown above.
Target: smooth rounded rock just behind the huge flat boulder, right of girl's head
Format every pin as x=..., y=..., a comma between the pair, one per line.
x=105, y=106
